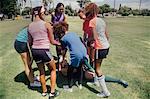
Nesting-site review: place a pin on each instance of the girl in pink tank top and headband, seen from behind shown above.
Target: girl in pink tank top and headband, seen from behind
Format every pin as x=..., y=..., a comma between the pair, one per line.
x=40, y=36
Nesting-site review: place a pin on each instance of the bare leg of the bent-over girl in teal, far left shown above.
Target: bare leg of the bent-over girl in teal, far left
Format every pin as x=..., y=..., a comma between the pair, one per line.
x=28, y=69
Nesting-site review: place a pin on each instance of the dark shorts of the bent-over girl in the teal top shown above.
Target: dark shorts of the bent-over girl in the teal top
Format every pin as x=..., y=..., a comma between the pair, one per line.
x=21, y=47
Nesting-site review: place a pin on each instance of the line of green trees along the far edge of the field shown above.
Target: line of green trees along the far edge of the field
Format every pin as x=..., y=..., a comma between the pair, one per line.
x=10, y=8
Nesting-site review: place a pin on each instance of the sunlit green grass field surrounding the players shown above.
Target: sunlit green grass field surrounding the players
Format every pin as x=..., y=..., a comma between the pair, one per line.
x=128, y=59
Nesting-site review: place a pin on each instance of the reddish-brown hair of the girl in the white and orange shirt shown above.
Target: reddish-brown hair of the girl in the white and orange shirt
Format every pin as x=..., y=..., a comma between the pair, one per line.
x=91, y=10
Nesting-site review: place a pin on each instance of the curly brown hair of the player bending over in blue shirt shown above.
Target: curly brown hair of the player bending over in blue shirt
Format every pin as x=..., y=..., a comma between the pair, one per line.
x=60, y=29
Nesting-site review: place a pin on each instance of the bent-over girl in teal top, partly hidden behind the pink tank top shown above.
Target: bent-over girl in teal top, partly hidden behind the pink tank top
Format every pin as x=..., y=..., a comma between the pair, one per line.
x=21, y=47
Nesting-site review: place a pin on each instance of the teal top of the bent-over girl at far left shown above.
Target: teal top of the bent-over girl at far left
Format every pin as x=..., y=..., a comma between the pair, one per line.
x=22, y=36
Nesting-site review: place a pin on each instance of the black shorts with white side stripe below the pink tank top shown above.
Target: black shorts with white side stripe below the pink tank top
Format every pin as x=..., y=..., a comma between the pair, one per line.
x=41, y=55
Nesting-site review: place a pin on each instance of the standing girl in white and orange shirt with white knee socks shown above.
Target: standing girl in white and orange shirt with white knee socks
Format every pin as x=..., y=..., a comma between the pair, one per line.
x=101, y=43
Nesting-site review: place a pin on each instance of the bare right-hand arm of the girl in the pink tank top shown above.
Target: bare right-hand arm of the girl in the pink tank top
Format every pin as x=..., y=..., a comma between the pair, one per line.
x=50, y=34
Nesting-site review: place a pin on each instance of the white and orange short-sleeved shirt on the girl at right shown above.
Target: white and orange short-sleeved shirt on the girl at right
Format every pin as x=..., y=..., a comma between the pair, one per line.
x=101, y=41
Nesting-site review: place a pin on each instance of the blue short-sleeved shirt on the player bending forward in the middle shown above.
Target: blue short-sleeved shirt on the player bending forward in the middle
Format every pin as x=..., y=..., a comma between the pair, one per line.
x=76, y=48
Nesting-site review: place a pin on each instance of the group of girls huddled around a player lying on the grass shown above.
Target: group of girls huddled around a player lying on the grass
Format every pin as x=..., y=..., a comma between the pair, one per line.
x=38, y=35
